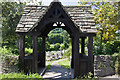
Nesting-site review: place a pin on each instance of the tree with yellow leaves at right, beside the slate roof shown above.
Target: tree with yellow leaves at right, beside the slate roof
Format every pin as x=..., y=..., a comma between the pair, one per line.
x=106, y=18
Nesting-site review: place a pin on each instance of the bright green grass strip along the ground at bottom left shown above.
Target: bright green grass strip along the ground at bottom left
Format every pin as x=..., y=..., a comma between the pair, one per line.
x=19, y=75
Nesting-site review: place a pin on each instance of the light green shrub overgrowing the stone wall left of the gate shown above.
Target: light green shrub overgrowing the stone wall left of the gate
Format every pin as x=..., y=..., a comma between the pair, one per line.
x=8, y=59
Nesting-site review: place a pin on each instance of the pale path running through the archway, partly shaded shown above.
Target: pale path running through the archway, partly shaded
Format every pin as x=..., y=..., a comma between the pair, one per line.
x=57, y=71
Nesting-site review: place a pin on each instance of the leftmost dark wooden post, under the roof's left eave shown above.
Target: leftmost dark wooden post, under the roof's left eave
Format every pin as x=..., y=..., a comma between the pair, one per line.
x=22, y=51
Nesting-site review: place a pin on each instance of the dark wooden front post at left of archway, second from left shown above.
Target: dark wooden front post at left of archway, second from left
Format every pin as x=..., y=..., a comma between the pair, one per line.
x=35, y=56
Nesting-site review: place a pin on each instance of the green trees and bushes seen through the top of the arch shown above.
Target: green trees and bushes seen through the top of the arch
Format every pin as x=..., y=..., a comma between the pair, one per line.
x=58, y=35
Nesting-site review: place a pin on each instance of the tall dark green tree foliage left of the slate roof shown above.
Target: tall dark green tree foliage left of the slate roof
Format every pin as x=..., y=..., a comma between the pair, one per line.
x=11, y=13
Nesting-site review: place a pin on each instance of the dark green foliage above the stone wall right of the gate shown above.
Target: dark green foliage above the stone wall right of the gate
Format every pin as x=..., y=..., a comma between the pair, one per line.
x=110, y=47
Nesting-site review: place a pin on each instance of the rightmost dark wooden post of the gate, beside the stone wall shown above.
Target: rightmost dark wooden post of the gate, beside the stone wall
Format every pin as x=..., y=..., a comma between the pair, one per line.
x=90, y=55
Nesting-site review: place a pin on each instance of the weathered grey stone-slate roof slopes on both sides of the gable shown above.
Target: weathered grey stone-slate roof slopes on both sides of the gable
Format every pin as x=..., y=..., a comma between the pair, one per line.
x=80, y=15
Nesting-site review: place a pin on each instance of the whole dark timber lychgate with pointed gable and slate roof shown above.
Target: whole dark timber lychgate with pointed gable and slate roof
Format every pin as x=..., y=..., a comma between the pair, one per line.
x=57, y=14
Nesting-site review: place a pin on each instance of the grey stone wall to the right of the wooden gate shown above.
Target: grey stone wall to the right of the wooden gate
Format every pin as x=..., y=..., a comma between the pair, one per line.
x=102, y=65
